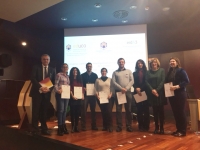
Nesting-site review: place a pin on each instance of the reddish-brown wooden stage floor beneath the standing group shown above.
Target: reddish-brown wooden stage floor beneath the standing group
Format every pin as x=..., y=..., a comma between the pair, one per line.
x=103, y=140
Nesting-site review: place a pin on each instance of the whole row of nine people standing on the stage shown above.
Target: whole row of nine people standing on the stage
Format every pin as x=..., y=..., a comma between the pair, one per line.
x=149, y=81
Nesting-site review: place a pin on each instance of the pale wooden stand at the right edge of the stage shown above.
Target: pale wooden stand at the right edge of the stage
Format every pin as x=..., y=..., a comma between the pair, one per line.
x=194, y=113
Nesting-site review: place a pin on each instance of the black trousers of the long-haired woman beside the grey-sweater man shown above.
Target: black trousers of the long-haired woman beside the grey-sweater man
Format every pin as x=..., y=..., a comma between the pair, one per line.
x=143, y=115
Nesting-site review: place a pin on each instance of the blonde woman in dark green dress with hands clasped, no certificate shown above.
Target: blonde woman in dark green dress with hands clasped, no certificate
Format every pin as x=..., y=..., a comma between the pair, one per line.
x=155, y=79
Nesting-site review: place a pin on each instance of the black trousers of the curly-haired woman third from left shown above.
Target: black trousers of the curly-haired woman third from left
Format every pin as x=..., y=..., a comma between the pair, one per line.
x=74, y=113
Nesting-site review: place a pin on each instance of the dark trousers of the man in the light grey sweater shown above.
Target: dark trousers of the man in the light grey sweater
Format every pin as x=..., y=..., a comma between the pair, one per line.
x=127, y=105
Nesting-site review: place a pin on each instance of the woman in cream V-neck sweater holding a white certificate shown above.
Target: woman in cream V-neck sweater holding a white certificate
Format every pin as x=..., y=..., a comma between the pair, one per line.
x=105, y=100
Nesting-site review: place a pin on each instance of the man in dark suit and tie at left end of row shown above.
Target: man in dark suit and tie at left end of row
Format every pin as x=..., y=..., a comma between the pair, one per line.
x=41, y=95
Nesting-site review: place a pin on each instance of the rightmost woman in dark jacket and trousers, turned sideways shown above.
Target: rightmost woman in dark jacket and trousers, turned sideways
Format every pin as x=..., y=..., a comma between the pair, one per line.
x=179, y=78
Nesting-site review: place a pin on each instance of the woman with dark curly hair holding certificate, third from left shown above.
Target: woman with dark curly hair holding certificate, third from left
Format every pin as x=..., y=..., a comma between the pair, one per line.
x=77, y=94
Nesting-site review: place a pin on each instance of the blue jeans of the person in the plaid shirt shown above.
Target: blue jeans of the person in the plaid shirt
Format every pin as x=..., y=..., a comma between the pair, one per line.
x=62, y=105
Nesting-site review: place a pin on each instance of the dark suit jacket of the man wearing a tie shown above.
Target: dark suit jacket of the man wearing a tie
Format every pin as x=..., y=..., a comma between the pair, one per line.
x=37, y=76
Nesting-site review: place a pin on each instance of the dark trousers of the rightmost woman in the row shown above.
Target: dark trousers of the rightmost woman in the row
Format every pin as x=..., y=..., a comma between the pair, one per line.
x=177, y=103
